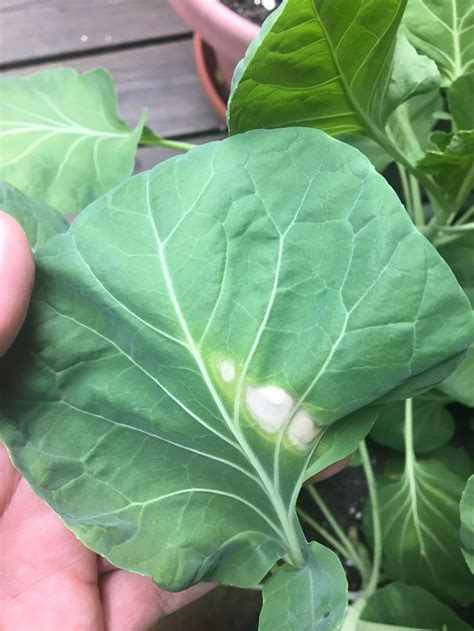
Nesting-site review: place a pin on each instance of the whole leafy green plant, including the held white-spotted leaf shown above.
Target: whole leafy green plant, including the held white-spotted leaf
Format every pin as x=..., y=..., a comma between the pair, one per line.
x=211, y=334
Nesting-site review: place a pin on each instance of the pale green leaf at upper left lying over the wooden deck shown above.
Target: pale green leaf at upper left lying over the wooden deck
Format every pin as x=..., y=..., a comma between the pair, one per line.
x=61, y=140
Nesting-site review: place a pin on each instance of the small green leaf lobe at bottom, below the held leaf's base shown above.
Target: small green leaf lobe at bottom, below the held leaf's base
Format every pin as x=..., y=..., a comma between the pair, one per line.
x=311, y=599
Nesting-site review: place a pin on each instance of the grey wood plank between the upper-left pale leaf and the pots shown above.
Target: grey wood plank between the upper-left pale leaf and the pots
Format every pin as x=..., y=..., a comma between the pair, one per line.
x=162, y=78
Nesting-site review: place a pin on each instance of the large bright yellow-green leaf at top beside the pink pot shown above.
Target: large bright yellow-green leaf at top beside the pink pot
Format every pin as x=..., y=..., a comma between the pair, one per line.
x=329, y=65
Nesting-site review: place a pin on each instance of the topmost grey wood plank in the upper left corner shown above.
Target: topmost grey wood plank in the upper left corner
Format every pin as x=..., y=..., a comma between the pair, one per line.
x=37, y=28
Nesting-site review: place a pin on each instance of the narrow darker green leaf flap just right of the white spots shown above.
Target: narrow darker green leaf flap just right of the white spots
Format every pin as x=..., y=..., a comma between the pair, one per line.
x=342, y=438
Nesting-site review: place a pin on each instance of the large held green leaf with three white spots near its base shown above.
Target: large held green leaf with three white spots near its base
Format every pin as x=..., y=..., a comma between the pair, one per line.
x=196, y=329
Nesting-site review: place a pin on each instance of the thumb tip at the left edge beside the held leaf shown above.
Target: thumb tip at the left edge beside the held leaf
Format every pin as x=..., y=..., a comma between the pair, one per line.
x=16, y=279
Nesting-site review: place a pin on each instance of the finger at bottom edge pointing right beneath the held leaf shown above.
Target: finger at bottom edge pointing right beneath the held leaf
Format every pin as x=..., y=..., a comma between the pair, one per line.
x=133, y=603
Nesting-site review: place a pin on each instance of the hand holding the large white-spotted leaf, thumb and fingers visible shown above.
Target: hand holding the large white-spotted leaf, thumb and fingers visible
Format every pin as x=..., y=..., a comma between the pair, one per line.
x=48, y=579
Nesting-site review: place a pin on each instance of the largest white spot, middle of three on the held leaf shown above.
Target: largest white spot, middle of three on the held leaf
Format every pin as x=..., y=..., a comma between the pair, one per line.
x=269, y=405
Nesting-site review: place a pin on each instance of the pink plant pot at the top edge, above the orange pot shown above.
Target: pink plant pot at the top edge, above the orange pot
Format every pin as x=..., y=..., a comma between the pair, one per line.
x=228, y=33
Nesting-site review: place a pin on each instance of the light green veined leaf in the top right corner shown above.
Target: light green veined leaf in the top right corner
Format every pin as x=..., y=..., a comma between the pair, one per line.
x=444, y=31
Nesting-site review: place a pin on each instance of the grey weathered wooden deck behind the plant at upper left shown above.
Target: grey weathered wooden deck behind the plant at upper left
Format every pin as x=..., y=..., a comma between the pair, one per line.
x=142, y=43
